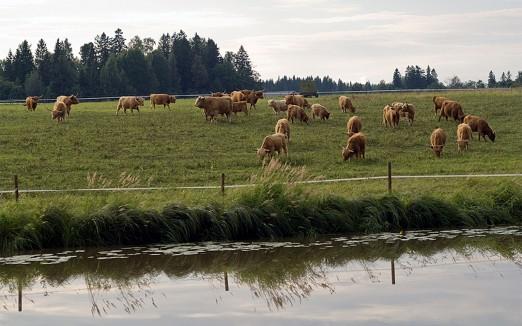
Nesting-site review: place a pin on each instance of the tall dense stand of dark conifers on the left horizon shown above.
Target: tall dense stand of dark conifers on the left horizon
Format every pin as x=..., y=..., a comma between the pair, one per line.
x=112, y=66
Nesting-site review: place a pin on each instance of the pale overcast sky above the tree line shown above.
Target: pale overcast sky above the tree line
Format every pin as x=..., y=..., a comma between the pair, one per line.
x=352, y=40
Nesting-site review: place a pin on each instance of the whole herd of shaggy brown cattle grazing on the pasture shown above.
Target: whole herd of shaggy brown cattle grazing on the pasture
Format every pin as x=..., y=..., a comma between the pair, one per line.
x=226, y=104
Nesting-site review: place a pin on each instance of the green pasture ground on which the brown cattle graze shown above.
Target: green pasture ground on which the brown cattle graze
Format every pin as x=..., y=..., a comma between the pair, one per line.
x=179, y=148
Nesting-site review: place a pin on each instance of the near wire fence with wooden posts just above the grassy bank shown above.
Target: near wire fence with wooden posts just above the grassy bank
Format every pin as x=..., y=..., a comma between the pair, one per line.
x=224, y=186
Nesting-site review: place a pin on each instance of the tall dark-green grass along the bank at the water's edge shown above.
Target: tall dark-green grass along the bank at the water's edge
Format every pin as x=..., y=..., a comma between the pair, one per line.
x=272, y=209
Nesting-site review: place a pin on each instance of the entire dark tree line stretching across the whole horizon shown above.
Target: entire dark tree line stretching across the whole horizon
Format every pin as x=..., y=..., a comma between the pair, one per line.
x=177, y=64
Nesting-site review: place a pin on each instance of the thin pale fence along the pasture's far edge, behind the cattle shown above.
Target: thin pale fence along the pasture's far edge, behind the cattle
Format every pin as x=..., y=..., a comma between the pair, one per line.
x=276, y=93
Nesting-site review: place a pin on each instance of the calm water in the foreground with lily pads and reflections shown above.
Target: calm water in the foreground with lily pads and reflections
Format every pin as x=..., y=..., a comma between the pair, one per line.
x=458, y=277
